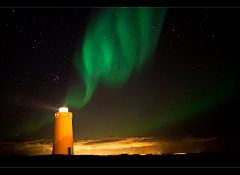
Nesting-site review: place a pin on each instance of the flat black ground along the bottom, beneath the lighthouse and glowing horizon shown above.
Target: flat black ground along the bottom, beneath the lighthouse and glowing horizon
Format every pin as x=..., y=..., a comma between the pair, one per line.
x=219, y=159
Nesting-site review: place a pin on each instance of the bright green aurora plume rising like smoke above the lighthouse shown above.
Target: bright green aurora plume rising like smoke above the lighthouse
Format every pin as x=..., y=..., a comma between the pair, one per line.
x=120, y=41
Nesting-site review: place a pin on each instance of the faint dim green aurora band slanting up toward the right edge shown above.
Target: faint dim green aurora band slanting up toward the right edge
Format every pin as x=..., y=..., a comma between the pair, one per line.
x=189, y=106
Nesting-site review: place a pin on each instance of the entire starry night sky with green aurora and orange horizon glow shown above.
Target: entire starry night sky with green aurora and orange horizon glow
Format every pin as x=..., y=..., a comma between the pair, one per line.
x=136, y=80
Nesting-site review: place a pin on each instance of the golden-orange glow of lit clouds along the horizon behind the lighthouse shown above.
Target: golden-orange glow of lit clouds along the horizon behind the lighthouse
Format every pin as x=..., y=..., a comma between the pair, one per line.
x=108, y=146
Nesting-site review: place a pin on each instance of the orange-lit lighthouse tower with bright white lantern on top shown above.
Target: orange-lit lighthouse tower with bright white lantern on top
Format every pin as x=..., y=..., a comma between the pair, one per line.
x=63, y=132
